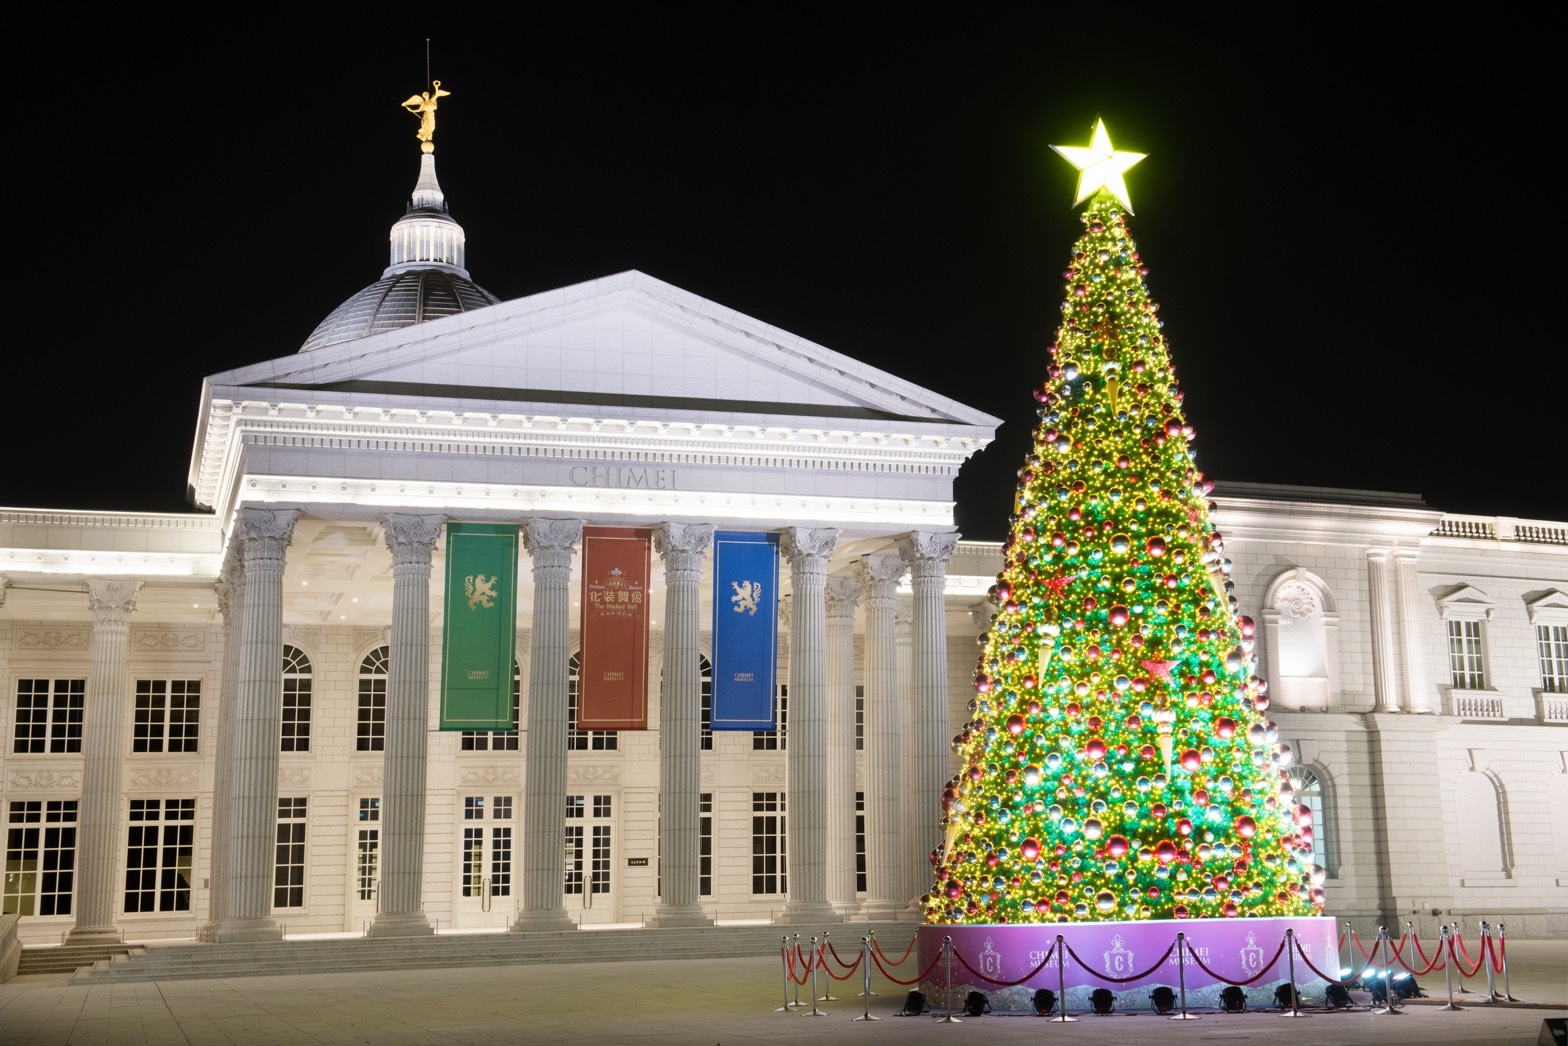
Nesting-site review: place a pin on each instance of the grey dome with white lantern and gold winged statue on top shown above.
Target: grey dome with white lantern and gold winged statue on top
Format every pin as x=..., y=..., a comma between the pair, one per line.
x=426, y=275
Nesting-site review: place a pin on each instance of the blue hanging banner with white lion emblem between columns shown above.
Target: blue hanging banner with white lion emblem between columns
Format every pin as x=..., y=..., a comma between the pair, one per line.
x=746, y=630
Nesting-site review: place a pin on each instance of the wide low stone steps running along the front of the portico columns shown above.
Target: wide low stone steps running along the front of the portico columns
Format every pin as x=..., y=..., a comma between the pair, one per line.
x=186, y=961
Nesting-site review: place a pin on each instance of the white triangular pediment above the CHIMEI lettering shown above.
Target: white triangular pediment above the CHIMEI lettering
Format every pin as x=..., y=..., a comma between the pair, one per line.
x=622, y=346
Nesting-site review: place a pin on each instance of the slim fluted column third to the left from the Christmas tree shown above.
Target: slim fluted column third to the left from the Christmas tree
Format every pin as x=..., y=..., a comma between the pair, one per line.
x=843, y=595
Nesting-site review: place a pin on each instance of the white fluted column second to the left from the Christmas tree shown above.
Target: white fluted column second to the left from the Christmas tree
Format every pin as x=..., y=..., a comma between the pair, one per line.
x=879, y=576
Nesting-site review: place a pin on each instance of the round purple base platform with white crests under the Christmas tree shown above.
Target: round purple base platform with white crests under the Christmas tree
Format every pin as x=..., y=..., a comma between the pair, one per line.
x=1141, y=956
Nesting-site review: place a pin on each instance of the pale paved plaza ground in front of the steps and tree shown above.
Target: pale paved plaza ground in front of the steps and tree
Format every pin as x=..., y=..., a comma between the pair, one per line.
x=697, y=1003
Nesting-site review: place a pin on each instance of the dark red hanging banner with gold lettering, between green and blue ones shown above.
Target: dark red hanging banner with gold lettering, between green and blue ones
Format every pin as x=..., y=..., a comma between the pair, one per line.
x=612, y=688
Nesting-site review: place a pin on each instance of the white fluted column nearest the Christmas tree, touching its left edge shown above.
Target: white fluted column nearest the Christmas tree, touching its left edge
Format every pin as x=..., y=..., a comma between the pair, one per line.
x=927, y=556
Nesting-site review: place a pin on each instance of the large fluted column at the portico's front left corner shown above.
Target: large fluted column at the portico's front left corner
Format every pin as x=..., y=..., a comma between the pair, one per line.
x=252, y=830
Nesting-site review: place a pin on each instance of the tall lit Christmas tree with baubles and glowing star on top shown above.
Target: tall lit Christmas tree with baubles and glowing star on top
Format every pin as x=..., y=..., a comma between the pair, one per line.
x=1117, y=763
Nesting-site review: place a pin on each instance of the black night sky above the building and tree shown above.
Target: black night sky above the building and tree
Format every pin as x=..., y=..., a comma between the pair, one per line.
x=1349, y=225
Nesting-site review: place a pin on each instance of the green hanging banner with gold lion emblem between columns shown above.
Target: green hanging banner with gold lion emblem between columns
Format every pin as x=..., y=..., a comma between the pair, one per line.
x=482, y=625
